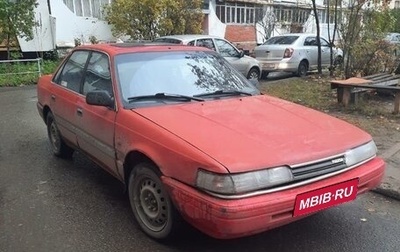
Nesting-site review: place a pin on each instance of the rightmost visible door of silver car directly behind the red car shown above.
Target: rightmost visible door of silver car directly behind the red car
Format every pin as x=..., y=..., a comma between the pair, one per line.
x=231, y=54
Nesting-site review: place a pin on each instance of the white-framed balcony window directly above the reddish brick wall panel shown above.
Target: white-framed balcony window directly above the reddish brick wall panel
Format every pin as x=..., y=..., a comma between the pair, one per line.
x=238, y=13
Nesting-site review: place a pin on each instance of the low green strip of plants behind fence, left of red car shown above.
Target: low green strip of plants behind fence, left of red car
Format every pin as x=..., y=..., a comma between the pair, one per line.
x=24, y=73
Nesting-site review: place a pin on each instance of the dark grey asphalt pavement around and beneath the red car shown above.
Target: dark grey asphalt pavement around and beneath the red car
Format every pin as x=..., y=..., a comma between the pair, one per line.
x=50, y=204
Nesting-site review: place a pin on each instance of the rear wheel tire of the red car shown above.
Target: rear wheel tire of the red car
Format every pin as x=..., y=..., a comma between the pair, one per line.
x=57, y=144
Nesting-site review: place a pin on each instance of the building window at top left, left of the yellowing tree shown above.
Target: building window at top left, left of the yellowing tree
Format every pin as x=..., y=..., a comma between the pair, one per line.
x=87, y=8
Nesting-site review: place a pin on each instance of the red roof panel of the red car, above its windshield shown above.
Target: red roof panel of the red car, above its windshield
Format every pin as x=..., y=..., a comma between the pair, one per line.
x=122, y=48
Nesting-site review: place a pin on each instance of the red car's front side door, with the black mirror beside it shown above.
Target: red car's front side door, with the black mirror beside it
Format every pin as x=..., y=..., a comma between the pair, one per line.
x=95, y=131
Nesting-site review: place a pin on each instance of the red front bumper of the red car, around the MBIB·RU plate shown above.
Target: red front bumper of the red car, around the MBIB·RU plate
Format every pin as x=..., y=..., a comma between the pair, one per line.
x=226, y=219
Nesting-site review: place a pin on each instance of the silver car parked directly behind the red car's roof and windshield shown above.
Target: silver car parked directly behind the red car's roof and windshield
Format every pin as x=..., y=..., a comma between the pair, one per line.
x=247, y=65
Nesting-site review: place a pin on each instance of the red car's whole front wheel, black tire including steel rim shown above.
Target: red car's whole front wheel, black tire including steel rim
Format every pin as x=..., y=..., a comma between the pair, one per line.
x=151, y=204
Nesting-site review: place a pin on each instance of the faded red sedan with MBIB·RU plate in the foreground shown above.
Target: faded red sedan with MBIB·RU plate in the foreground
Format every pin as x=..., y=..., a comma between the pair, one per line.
x=191, y=138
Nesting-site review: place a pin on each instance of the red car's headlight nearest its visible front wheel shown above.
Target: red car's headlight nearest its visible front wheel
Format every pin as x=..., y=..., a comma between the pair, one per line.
x=243, y=182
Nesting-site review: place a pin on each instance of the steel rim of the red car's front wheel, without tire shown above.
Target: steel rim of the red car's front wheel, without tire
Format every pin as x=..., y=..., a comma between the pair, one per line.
x=151, y=204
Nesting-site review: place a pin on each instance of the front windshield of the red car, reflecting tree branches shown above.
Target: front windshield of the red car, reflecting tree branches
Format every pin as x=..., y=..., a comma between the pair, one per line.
x=156, y=78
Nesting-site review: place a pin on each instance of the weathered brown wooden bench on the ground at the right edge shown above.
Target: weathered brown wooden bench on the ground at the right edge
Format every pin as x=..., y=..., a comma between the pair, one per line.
x=344, y=90
